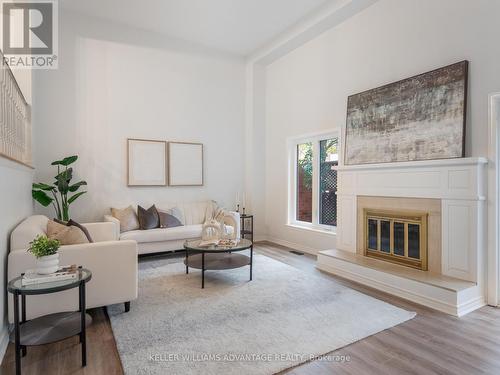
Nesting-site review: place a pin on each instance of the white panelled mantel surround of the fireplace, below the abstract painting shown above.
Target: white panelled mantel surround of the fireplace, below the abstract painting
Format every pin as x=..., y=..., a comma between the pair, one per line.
x=460, y=185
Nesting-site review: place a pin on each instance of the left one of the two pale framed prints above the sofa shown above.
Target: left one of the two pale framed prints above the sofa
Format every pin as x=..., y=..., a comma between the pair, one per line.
x=146, y=162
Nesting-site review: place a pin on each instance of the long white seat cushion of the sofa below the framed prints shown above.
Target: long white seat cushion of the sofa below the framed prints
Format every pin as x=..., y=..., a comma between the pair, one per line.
x=164, y=234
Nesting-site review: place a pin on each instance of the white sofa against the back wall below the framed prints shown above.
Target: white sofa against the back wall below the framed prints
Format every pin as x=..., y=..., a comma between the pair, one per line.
x=158, y=240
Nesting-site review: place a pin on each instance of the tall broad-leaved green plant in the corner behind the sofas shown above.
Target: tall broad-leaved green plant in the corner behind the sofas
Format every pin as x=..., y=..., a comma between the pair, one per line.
x=60, y=189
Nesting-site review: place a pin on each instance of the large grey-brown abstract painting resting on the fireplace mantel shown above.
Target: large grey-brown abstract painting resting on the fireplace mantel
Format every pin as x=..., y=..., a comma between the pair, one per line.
x=418, y=118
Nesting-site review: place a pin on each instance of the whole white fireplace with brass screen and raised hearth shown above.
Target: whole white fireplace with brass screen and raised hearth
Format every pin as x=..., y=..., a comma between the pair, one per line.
x=453, y=195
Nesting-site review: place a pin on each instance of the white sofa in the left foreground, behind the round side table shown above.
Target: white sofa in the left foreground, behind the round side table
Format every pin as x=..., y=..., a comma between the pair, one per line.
x=113, y=265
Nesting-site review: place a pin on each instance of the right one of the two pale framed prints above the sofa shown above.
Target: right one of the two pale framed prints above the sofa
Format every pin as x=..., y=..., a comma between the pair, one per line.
x=185, y=166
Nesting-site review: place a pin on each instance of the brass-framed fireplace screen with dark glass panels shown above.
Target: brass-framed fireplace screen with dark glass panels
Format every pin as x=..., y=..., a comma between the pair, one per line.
x=398, y=237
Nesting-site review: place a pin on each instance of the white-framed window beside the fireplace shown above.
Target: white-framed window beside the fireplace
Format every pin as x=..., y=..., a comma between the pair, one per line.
x=313, y=181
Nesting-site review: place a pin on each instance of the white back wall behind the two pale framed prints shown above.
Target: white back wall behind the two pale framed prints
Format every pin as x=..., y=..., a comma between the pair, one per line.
x=115, y=83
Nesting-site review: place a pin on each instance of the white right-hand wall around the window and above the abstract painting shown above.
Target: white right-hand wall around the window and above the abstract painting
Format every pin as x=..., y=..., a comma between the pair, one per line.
x=306, y=90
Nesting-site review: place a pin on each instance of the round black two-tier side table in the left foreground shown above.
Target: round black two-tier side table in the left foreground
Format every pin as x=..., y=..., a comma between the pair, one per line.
x=49, y=328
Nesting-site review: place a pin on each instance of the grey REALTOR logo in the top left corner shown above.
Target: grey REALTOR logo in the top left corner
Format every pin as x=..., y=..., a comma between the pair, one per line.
x=30, y=34
